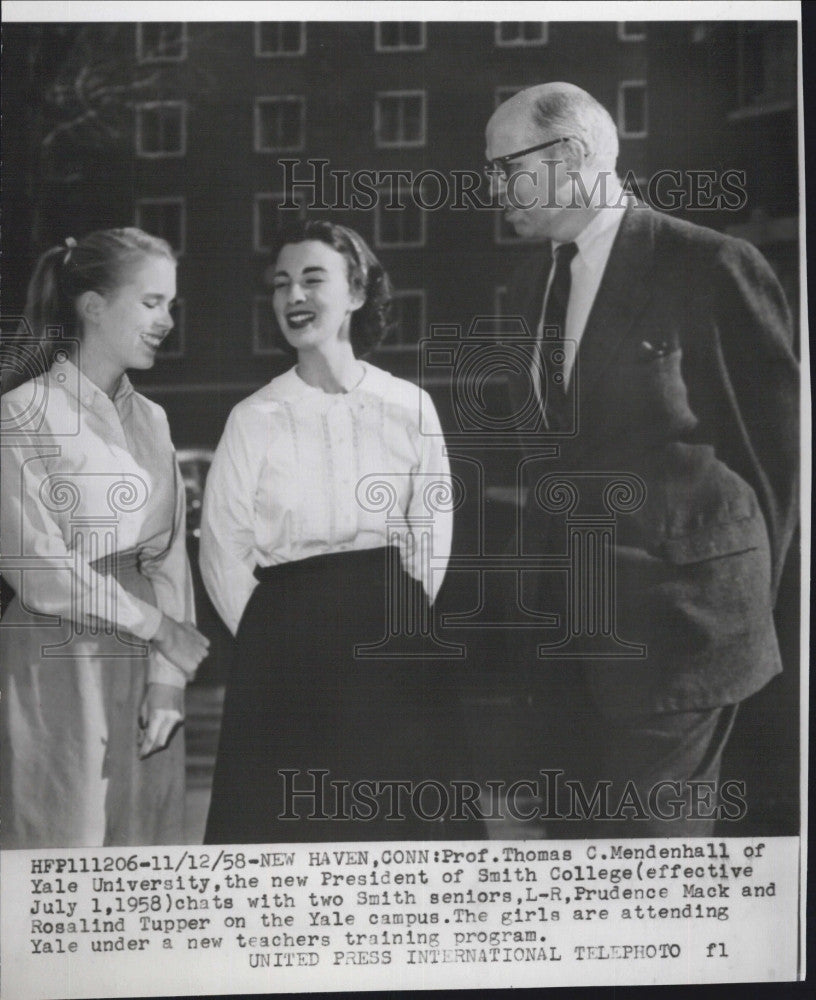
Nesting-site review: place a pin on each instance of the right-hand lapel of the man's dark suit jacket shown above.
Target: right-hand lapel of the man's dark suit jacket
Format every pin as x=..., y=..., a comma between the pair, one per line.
x=625, y=288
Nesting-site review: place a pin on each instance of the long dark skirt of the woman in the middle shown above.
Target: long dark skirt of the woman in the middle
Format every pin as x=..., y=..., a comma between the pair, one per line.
x=317, y=730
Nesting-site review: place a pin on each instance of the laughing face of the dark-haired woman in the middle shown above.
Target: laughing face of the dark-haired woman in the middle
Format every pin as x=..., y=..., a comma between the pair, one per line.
x=312, y=298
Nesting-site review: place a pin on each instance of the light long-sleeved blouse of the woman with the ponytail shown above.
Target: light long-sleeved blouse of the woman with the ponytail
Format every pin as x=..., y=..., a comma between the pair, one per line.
x=85, y=476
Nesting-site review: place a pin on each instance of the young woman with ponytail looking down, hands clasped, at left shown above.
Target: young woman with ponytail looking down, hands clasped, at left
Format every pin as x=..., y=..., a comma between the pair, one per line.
x=98, y=642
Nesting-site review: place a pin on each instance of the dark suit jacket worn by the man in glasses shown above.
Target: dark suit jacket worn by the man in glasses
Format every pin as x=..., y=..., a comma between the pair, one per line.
x=685, y=377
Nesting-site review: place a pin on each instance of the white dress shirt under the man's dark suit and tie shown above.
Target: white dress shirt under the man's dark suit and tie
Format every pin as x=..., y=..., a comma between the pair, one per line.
x=594, y=244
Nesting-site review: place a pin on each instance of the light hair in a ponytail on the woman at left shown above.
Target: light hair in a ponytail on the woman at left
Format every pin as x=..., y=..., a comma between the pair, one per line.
x=99, y=262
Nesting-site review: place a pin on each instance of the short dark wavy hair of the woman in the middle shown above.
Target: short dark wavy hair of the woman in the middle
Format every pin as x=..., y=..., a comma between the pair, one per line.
x=372, y=321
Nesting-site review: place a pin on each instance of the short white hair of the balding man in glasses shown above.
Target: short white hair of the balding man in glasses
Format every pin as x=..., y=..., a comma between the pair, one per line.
x=564, y=109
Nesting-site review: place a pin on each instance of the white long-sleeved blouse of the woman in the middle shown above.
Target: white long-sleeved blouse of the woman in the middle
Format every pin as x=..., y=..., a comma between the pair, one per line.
x=300, y=472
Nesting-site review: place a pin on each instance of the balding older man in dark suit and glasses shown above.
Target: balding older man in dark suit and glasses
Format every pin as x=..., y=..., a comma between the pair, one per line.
x=683, y=382
